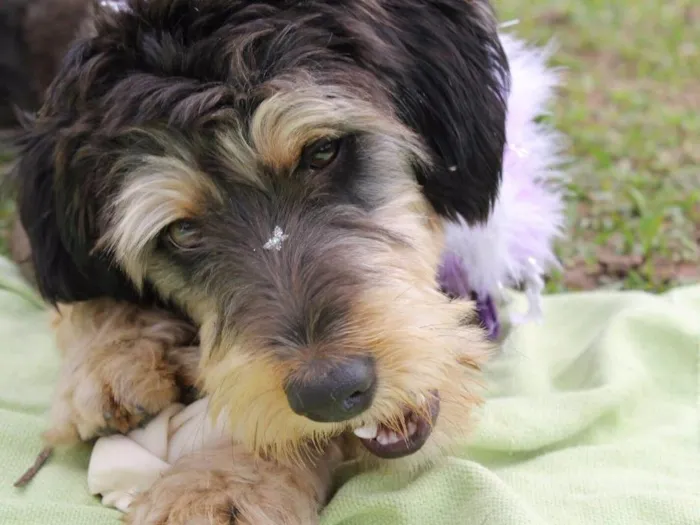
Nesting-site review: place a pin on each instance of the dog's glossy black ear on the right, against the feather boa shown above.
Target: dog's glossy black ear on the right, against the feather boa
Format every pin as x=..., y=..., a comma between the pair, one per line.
x=449, y=77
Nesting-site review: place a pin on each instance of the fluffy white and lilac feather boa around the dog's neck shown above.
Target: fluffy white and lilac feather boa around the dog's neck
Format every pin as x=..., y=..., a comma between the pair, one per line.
x=514, y=248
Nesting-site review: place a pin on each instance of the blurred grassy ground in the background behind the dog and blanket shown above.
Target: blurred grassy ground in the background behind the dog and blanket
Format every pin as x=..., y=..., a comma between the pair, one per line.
x=630, y=106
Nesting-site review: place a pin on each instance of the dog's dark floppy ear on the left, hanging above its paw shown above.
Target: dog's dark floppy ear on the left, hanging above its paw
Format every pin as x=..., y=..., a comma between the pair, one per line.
x=57, y=201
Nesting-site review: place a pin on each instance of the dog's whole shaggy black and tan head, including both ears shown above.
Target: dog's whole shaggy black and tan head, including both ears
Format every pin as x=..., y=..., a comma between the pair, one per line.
x=279, y=171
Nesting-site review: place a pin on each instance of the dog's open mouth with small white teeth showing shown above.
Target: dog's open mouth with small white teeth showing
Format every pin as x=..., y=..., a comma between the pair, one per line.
x=387, y=443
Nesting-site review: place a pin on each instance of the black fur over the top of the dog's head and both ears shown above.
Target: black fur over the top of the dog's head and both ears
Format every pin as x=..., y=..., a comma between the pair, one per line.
x=168, y=63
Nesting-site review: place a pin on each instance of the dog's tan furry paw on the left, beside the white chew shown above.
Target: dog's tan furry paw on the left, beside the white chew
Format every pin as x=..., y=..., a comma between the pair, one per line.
x=111, y=389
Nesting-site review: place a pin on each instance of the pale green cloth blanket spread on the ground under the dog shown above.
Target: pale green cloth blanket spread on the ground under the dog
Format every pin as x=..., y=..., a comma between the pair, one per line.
x=593, y=417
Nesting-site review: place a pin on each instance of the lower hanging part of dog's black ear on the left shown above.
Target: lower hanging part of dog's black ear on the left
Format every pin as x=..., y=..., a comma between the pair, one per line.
x=57, y=219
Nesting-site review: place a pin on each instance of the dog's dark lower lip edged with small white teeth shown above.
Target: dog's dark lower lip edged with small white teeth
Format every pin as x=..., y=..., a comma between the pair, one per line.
x=386, y=447
